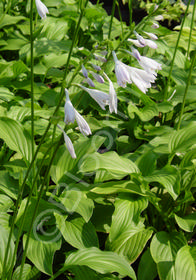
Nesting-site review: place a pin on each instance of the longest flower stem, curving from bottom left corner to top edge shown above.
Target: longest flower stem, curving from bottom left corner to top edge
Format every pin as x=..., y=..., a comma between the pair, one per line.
x=19, y=198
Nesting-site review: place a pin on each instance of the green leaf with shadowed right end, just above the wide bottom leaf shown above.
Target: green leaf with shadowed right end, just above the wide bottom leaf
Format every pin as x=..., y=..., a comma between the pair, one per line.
x=77, y=233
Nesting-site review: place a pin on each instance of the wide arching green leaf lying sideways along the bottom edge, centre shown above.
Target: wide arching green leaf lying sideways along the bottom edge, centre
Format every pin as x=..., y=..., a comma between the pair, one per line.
x=100, y=261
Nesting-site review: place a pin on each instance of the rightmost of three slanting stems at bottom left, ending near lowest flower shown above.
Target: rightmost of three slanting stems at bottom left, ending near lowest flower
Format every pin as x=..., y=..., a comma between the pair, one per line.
x=36, y=208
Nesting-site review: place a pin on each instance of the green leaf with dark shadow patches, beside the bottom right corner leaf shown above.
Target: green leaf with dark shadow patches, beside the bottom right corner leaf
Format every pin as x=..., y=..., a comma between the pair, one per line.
x=163, y=248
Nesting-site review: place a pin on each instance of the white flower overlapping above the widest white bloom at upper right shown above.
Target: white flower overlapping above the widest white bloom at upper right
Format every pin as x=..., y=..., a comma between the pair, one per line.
x=148, y=64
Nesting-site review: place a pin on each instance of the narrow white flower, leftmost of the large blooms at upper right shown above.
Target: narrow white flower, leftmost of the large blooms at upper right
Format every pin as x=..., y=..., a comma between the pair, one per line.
x=121, y=73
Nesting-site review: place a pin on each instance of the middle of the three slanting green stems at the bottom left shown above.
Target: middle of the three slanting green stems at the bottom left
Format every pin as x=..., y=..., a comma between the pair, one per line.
x=25, y=210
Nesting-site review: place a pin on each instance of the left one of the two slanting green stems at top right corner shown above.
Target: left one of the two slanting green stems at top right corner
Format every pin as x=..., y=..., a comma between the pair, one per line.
x=175, y=51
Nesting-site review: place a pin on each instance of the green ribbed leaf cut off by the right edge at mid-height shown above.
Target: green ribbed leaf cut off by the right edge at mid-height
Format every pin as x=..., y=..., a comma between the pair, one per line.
x=182, y=140
